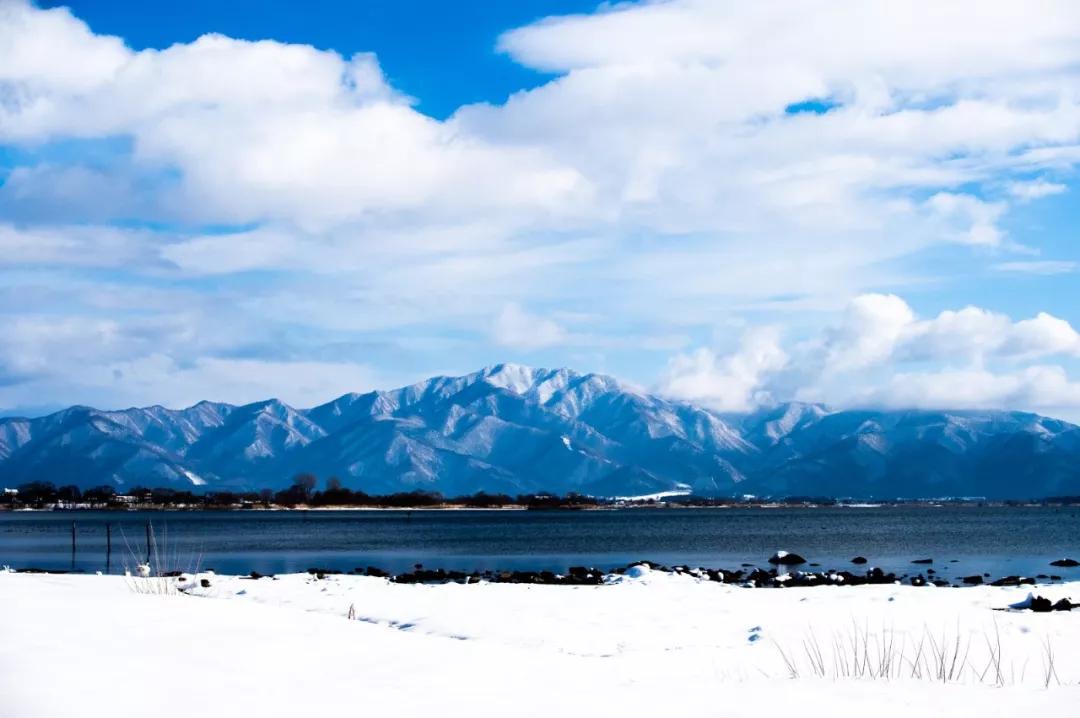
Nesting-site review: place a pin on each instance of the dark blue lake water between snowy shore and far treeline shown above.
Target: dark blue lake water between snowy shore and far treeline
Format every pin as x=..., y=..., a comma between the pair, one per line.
x=995, y=540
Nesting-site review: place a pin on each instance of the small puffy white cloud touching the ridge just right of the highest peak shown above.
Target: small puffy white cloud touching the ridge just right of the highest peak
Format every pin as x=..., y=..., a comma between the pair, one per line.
x=732, y=383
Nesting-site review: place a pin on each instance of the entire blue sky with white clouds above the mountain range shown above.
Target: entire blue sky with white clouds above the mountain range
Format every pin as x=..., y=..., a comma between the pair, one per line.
x=868, y=205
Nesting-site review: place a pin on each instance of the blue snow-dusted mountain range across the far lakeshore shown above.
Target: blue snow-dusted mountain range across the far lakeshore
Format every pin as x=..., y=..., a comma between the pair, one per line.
x=516, y=429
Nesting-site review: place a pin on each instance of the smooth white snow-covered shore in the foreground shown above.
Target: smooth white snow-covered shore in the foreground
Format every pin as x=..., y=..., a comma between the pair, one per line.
x=651, y=644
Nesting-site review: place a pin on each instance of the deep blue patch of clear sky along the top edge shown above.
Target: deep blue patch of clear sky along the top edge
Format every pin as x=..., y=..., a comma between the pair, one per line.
x=442, y=55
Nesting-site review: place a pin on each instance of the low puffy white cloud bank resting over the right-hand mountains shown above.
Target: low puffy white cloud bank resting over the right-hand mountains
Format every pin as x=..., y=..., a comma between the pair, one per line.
x=883, y=355
